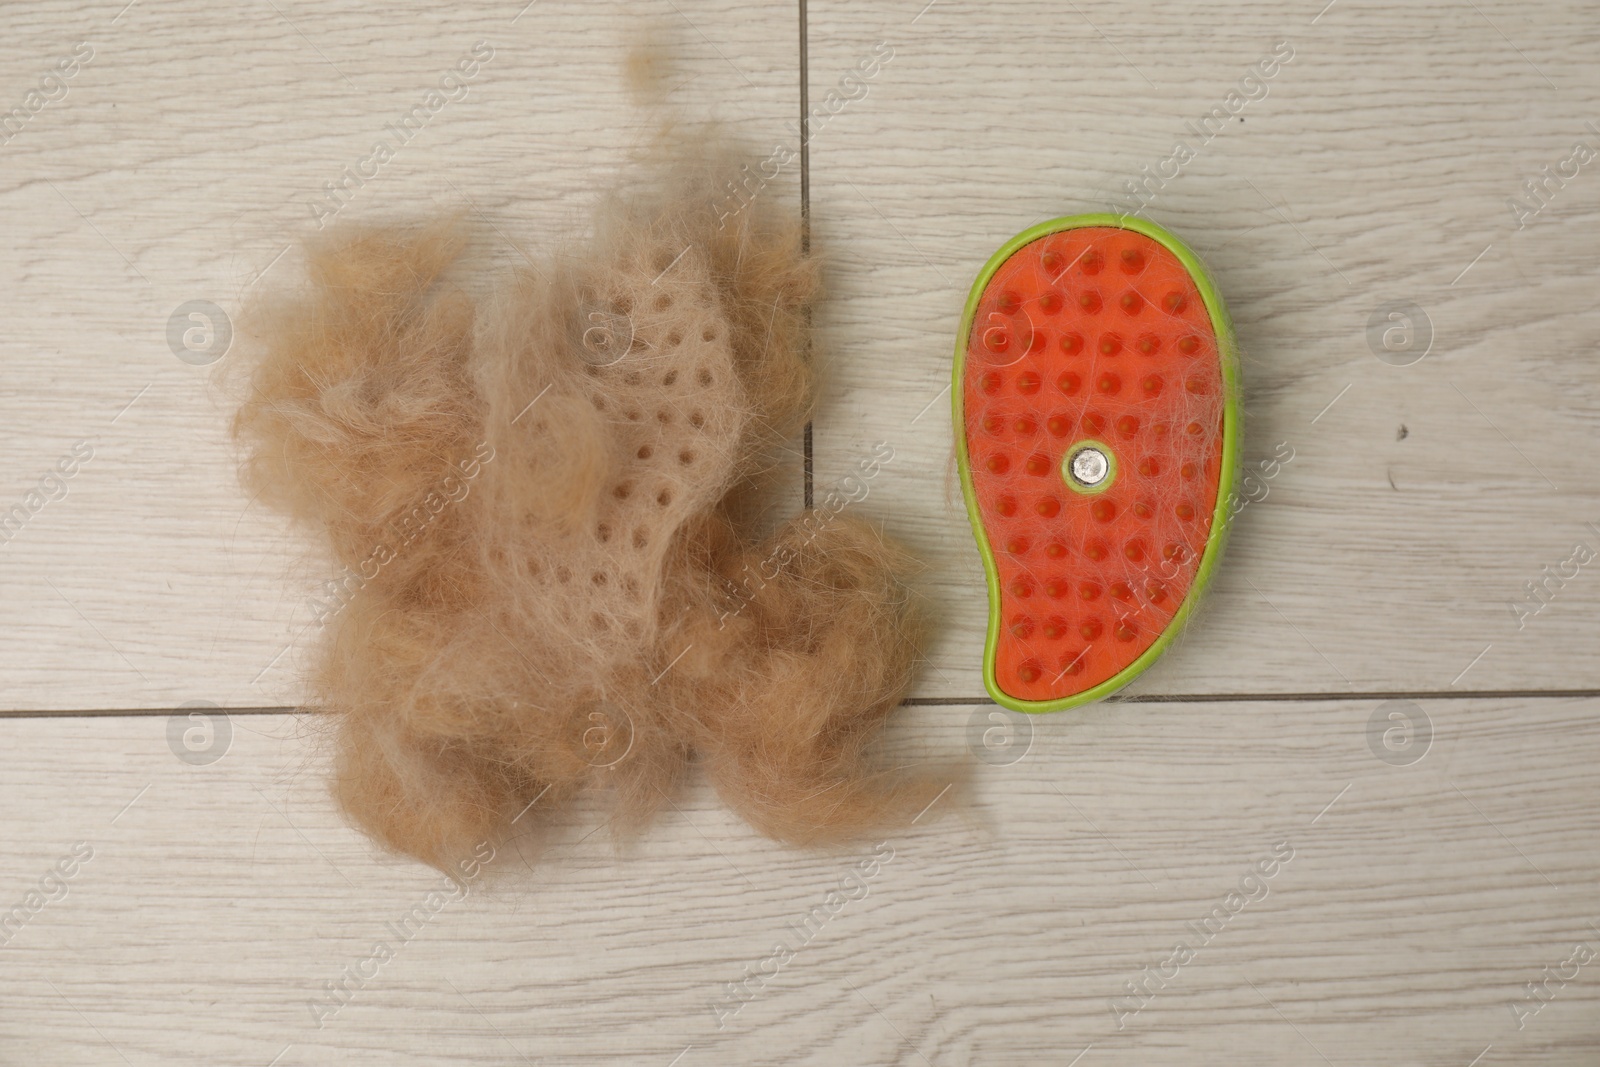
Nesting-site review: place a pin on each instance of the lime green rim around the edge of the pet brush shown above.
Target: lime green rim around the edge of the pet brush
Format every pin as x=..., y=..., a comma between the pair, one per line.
x=1220, y=521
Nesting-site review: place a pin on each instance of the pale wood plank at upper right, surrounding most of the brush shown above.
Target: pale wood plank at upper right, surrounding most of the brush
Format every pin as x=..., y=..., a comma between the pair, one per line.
x=1377, y=169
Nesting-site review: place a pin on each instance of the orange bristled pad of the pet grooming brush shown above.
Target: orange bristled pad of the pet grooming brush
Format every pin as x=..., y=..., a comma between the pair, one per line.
x=1090, y=335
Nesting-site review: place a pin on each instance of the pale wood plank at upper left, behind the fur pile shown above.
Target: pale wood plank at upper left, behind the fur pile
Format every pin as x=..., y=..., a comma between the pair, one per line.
x=180, y=164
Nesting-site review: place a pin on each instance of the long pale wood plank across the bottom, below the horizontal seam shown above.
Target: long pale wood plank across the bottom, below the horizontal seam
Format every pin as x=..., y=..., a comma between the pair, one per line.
x=1418, y=903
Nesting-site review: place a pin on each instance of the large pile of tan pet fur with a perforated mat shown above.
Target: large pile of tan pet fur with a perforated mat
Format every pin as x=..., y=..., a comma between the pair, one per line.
x=542, y=497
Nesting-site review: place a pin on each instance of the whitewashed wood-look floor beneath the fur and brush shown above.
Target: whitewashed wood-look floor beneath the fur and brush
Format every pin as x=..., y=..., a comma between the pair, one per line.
x=1351, y=818
